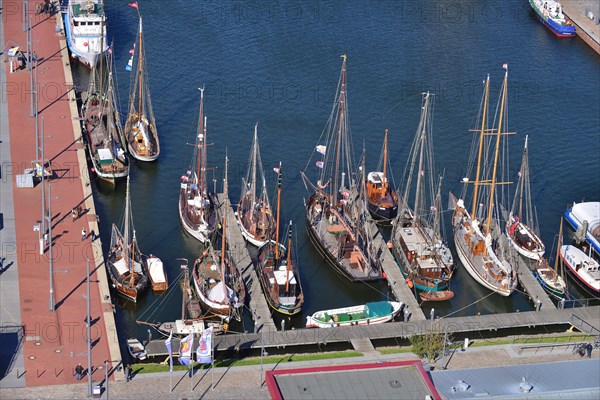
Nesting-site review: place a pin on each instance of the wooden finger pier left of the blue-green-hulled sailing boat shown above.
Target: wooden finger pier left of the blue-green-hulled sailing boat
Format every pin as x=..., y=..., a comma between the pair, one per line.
x=395, y=279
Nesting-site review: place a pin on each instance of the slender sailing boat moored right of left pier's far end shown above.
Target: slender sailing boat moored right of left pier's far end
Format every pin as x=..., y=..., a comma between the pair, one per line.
x=254, y=214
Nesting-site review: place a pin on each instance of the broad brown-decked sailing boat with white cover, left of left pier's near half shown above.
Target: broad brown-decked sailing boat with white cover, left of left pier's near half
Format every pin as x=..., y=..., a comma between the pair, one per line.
x=218, y=284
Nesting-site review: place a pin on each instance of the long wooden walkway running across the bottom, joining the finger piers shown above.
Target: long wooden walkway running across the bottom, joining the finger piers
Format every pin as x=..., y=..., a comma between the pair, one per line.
x=470, y=326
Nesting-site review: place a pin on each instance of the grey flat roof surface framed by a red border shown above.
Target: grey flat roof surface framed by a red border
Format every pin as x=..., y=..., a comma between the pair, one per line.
x=398, y=382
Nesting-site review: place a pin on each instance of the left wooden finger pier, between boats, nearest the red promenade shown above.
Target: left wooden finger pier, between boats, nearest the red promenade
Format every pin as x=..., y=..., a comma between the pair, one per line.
x=238, y=251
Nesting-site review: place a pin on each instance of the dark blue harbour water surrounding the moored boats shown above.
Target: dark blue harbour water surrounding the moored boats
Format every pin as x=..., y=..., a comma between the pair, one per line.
x=278, y=63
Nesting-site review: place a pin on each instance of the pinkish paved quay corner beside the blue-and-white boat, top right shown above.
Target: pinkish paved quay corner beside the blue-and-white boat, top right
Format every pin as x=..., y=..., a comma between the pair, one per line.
x=585, y=15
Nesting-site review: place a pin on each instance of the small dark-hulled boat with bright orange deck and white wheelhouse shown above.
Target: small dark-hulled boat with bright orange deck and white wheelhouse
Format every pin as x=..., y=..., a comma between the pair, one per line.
x=381, y=196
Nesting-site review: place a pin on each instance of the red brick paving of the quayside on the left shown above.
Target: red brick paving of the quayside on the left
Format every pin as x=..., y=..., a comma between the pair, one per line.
x=56, y=341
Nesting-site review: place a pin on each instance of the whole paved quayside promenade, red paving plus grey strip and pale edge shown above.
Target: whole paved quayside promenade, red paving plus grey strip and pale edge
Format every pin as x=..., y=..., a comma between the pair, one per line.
x=51, y=342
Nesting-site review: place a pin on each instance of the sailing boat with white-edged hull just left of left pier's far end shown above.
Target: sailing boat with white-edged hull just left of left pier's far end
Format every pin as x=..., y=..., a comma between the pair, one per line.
x=196, y=205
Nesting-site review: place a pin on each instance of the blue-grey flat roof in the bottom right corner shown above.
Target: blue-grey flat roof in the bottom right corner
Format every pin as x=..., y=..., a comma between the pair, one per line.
x=575, y=379
